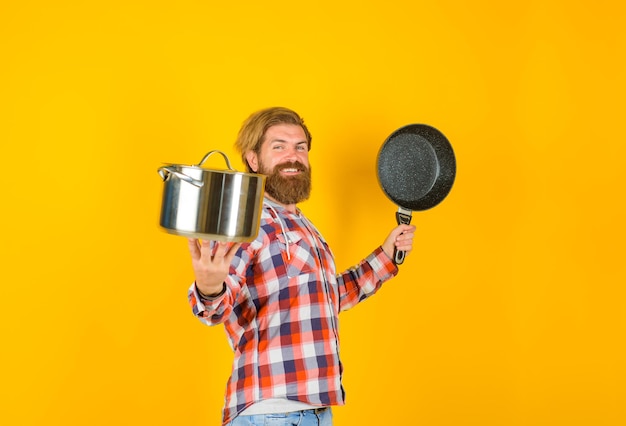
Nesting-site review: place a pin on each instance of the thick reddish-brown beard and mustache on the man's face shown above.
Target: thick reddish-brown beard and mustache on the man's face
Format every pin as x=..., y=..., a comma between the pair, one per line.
x=287, y=189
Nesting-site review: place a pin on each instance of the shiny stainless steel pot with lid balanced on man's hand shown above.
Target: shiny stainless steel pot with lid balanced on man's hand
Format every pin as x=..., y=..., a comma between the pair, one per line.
x=222, y=205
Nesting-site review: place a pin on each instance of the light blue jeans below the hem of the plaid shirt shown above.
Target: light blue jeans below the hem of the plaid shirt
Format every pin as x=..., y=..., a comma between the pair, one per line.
x=318, y=417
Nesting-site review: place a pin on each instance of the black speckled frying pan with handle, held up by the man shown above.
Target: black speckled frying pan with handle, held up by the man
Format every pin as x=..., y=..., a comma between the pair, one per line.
x=416, y=170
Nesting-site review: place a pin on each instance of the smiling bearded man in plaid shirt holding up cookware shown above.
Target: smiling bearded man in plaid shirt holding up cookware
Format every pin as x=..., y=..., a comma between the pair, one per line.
x=279, y=296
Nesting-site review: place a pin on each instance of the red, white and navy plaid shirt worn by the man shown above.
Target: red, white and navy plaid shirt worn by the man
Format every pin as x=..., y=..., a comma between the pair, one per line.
x=280, y=310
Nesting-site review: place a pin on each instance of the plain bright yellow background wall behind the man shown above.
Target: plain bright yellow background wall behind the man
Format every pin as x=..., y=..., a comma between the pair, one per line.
x=510, y=311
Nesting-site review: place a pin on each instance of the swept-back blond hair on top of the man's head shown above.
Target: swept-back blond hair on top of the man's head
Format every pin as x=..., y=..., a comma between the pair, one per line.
x=252, y=132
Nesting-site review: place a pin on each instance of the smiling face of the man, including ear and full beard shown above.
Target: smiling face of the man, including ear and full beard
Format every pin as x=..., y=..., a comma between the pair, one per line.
x=284, y=159
